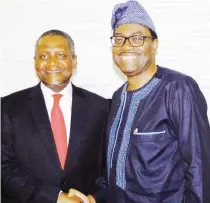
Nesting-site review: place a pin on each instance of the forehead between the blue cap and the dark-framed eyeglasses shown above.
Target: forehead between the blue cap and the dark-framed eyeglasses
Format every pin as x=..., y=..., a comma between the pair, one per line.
x=130, y=29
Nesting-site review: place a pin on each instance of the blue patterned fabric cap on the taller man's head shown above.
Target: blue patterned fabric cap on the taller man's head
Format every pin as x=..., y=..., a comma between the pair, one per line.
x=131, y=12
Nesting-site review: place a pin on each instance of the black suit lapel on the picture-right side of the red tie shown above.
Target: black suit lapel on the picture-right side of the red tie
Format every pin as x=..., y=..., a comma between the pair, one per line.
x=80, y=108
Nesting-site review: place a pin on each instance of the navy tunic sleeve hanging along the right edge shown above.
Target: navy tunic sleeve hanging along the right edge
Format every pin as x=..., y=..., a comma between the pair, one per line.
x=189, y=114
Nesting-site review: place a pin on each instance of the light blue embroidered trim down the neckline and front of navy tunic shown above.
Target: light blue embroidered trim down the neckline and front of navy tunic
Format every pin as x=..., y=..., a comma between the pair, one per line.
x=137, y=97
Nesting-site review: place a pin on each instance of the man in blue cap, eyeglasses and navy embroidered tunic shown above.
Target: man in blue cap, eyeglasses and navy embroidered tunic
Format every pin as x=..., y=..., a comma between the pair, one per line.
x=159, y=133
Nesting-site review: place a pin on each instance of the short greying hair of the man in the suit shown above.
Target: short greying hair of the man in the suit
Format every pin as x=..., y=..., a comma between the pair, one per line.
x=59, y=33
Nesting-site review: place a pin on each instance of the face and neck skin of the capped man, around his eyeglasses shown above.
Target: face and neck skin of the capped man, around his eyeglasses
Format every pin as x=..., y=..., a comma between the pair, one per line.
x=137, y=63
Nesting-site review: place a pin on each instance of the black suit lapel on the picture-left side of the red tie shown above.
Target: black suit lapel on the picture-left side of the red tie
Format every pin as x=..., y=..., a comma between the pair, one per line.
x=41, y=120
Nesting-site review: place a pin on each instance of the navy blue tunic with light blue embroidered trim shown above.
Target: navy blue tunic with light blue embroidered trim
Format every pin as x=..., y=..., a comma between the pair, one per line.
x=162, y=147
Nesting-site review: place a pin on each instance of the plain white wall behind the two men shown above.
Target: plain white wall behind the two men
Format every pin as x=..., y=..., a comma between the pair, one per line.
x=183, y=27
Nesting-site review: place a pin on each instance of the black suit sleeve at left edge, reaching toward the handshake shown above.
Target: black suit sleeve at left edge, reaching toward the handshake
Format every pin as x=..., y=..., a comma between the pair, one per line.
x=17, y=184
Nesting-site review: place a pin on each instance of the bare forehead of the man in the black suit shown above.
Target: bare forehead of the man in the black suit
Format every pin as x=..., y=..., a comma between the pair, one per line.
x=52, y=42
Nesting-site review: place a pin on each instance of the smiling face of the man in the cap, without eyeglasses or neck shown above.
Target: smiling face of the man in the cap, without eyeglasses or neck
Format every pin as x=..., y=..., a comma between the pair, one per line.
x=134, y=60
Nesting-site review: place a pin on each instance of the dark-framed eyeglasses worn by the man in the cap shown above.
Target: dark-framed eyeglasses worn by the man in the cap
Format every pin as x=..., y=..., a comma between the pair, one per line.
x=135, y=40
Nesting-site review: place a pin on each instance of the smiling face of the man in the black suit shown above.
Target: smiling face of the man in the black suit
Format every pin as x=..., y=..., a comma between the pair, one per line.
x=54, y=62
